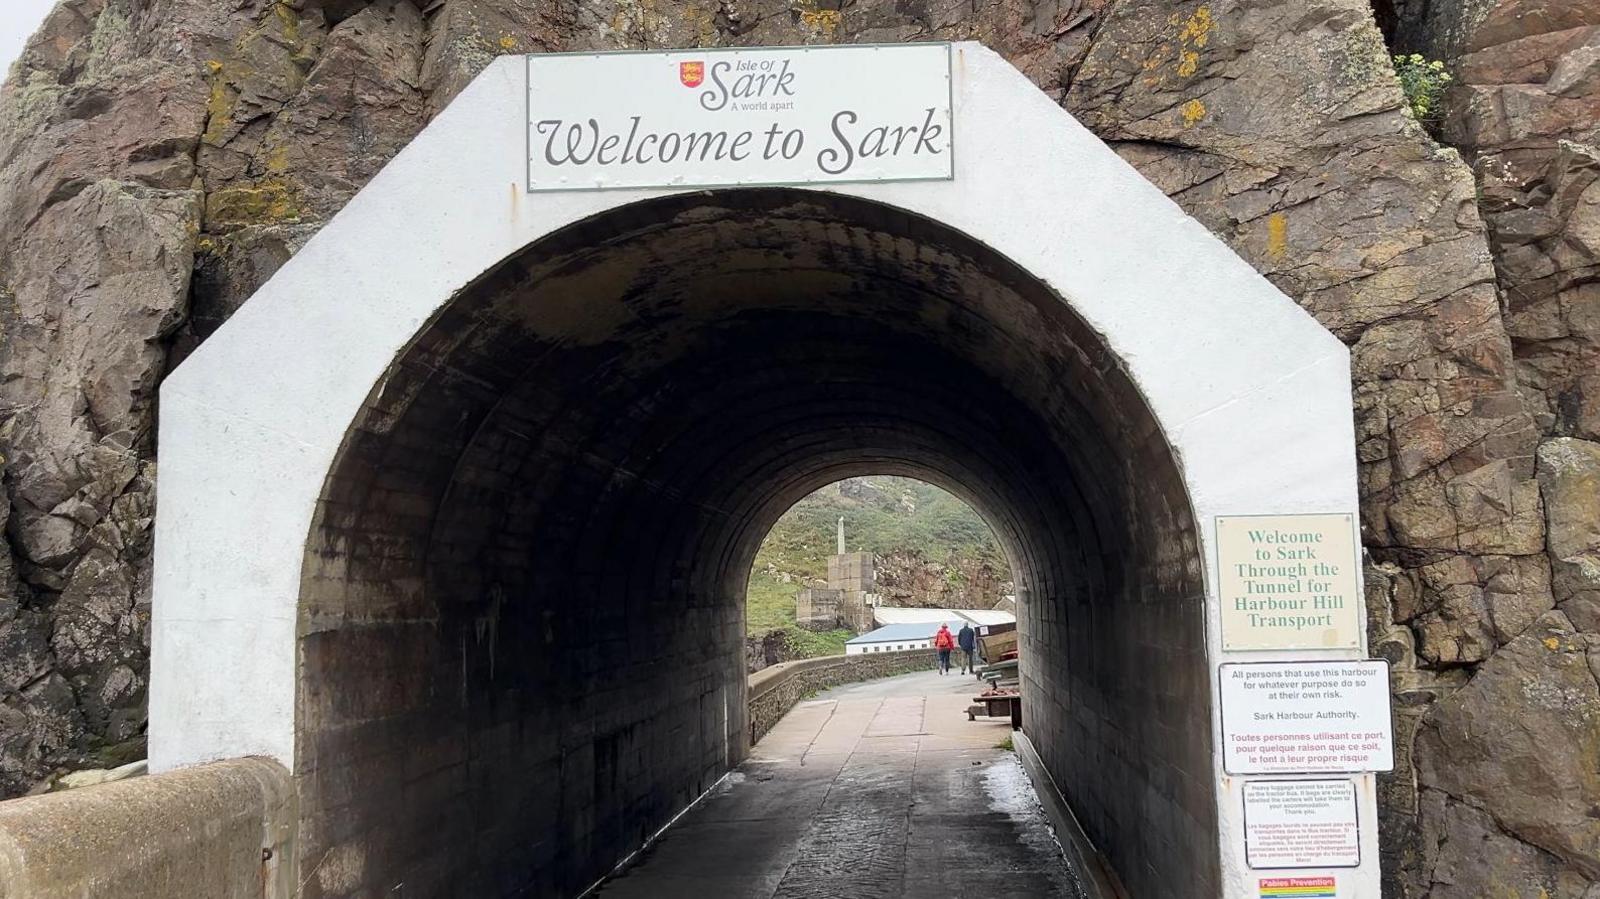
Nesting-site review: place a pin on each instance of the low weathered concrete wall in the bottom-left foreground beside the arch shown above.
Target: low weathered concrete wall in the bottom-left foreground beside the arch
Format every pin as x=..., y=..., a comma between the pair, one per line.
x=218, y=831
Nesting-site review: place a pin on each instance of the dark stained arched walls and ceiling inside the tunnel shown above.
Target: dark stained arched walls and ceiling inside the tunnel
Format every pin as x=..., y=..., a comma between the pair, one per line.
x=521, y=639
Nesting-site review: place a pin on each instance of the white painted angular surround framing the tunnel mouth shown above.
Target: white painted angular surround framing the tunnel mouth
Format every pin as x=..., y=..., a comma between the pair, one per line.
x=1252, y=393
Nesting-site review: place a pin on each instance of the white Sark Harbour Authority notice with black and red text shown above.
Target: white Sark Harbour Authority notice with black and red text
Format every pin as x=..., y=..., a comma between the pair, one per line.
x=1306, y=717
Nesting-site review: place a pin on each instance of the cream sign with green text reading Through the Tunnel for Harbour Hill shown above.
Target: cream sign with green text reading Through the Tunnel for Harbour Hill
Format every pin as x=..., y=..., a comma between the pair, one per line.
x=1289, y=583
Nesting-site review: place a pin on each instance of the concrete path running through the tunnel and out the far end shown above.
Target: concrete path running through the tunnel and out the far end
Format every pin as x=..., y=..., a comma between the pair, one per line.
x=878, y=791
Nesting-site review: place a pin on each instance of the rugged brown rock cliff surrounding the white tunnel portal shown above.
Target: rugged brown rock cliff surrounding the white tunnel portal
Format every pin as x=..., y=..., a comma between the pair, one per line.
x=159, y=161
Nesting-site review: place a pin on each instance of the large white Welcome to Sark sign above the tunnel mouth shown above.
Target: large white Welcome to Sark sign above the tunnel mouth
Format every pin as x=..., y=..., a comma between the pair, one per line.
x=740, y=118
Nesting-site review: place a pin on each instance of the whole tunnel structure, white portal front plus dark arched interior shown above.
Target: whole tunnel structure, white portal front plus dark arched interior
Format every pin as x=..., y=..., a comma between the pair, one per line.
x=478, y=431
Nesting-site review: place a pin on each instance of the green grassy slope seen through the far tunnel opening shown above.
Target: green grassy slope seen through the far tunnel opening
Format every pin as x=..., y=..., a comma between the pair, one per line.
x=884, y=514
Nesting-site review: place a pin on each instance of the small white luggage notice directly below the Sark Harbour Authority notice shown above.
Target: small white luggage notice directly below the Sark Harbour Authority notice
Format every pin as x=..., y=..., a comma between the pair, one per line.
x=1302, y=825
